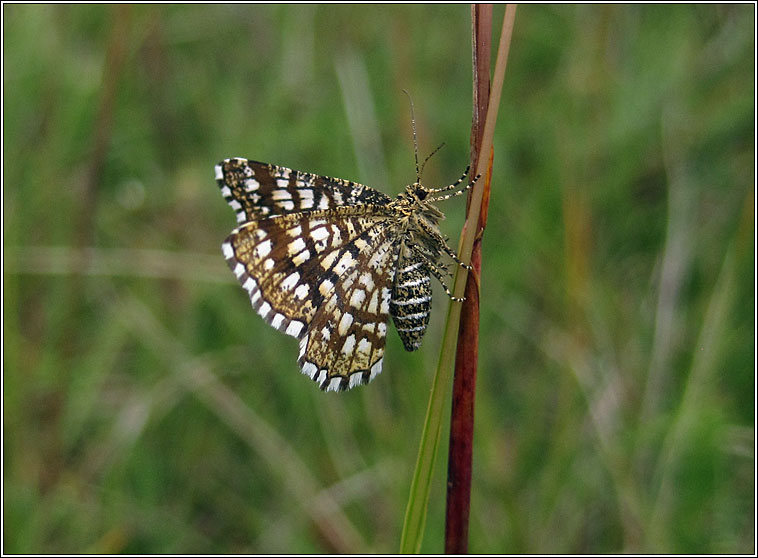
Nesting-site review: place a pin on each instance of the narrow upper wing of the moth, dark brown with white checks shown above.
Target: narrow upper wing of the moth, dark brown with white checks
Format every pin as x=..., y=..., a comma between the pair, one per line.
x=257, y=190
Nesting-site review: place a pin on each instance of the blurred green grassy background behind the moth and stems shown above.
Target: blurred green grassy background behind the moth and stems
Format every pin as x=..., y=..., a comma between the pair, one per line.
x=146, y=408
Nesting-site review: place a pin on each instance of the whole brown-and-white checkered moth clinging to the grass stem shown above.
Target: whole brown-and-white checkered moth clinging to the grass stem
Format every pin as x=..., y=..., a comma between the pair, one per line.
x=328, y=261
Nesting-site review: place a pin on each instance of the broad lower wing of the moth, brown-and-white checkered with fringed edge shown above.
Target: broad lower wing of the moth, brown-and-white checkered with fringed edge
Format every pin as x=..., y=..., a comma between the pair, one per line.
x=326, y=282
